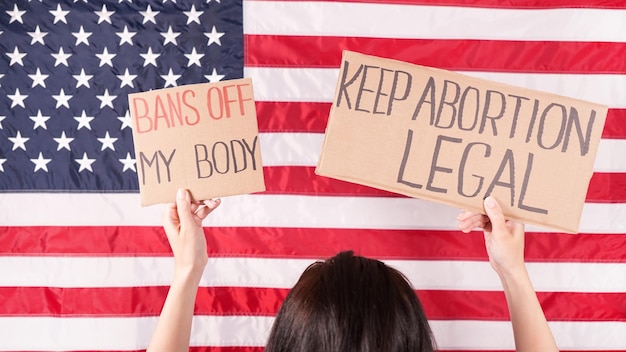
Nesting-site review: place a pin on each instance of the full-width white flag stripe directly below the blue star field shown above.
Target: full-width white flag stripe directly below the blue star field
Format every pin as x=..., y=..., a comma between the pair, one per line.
x=114, y=209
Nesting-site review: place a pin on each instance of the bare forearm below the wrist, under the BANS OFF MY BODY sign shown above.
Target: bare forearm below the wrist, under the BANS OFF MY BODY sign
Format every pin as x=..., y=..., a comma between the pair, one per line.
x=174, y=326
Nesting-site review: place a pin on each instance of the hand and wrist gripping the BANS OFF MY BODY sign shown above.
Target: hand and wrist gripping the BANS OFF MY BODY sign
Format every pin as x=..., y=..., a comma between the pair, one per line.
x=182, y=222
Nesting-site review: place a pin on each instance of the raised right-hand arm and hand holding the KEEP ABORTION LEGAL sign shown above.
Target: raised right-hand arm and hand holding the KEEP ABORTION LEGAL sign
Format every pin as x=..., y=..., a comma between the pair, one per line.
x=504, y=241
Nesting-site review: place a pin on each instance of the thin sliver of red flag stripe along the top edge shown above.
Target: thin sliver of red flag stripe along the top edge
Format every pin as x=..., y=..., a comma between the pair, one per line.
x=513, y=4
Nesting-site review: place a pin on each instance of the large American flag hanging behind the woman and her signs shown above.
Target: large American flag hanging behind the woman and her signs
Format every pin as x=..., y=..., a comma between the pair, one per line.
x=84, y=268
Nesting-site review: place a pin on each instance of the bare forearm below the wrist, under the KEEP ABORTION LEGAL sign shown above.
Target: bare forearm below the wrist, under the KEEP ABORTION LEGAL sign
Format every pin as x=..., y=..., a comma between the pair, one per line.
x=530, y=328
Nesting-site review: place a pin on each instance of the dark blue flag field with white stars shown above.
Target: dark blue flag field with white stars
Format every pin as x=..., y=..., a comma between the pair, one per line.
x=67, y=72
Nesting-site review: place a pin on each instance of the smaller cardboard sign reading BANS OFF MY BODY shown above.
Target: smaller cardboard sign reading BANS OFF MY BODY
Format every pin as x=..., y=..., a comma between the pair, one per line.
x=203, y=137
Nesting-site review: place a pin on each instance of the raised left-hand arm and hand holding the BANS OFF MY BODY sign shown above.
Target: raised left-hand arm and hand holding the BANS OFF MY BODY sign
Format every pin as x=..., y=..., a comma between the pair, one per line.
x=182, y=222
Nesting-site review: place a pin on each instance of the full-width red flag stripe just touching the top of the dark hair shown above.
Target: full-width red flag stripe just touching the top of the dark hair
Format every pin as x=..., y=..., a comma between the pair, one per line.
x=306, y=243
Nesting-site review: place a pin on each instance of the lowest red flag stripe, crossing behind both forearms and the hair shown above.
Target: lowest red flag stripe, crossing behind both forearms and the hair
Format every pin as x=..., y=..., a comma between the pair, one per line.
x=148, y=301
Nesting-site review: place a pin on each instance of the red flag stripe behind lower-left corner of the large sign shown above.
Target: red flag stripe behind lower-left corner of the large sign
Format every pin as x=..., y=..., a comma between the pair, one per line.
x=300, y=180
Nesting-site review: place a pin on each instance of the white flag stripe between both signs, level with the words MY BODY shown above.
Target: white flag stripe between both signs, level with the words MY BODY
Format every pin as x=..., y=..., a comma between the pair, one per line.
x=304, y=149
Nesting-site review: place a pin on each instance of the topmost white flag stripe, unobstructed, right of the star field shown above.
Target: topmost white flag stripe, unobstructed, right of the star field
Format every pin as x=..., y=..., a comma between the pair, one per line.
x=432, y=22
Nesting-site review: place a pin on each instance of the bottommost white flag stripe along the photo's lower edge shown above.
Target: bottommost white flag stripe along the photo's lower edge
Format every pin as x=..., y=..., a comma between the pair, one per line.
x=67, y=334
